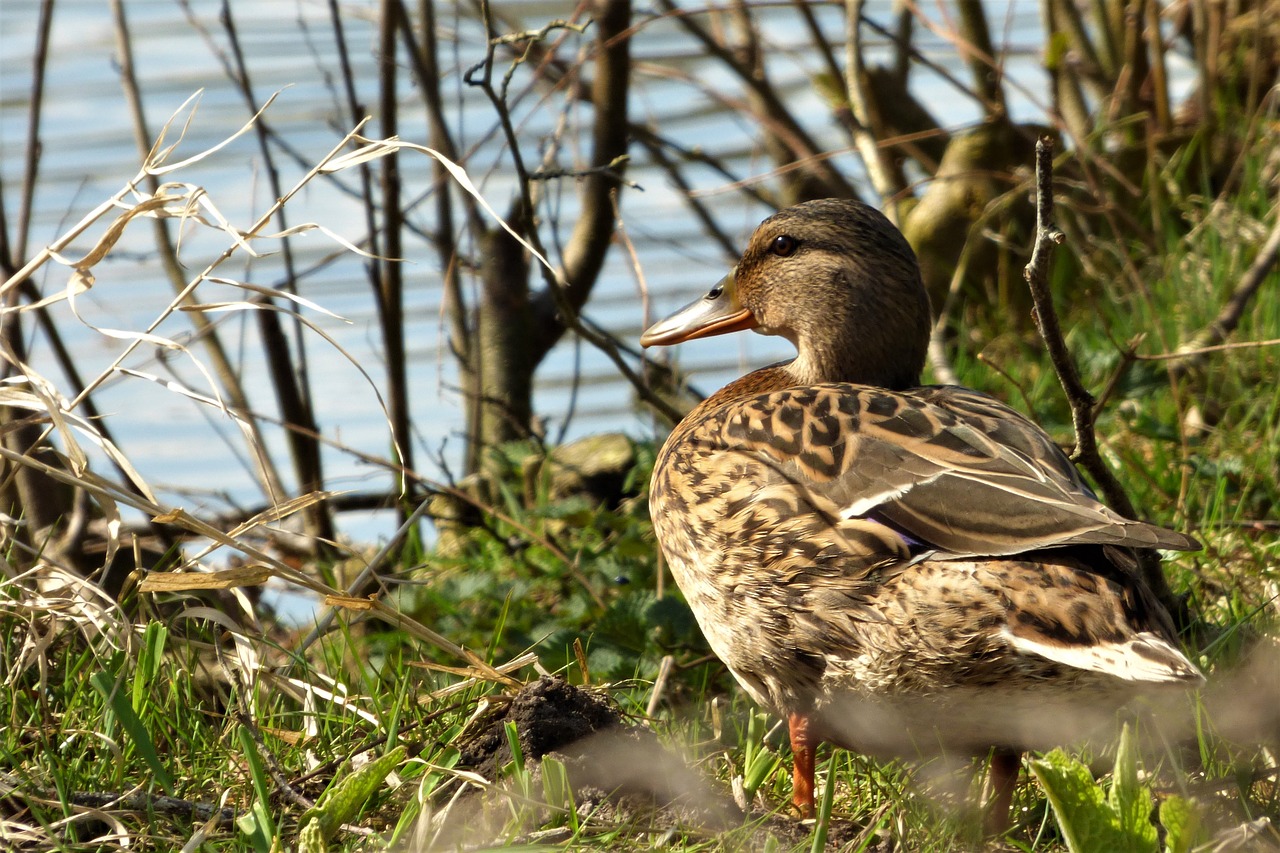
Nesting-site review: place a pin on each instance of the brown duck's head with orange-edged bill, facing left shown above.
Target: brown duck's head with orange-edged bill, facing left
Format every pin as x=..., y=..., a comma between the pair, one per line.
x=834, y=277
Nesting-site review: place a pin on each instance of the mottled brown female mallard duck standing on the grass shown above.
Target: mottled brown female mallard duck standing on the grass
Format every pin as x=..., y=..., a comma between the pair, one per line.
x=893, y=568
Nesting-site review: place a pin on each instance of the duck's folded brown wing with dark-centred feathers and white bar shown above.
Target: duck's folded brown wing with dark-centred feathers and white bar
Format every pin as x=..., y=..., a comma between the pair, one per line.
x=954, y=471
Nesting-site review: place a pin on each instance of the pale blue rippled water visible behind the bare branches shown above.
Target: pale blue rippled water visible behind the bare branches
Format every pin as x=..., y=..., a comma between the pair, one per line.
x=194, y=455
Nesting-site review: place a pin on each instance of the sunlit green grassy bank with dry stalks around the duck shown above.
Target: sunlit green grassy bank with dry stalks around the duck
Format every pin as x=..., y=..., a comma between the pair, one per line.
x=193, y=722
